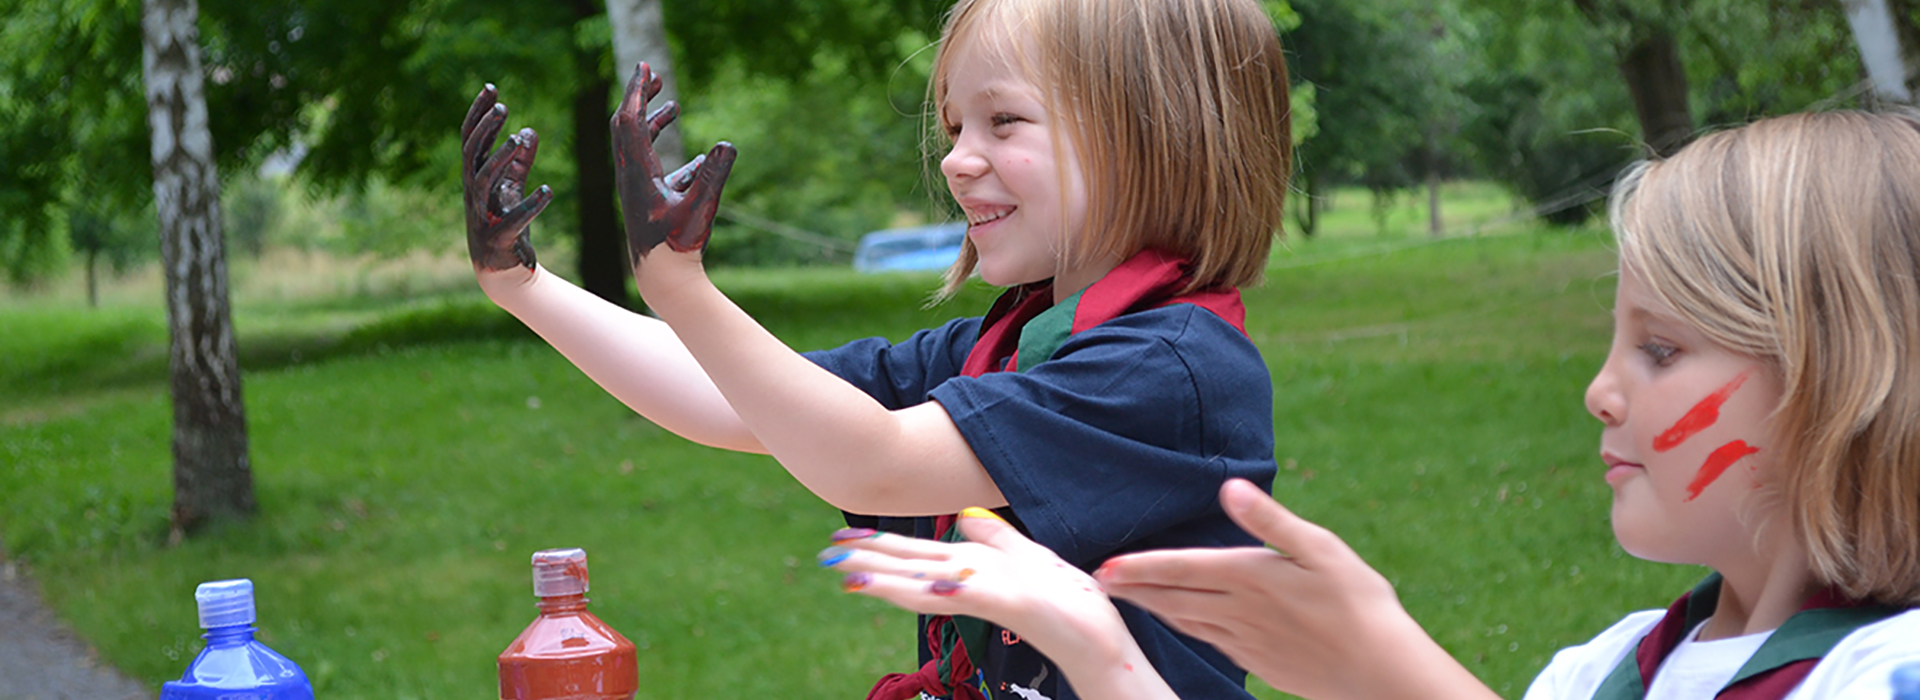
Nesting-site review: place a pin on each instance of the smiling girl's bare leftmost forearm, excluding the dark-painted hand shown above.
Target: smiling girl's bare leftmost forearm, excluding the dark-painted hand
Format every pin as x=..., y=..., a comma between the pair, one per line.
x=635, y=358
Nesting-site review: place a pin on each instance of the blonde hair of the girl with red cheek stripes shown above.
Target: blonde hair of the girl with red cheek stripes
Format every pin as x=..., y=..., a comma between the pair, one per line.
x=1796, y=241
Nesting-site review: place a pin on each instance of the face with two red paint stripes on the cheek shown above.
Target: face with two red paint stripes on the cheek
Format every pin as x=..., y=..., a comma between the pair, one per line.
x=1687, y=434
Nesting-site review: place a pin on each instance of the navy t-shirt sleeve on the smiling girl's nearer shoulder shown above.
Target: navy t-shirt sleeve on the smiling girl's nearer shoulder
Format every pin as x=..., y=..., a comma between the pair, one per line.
x=1122, y=438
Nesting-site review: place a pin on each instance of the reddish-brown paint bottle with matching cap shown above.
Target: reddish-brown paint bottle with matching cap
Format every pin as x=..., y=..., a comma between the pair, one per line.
x=567, y=653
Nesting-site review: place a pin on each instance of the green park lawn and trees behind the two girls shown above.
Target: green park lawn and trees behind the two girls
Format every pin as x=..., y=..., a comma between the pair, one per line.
x=1429, y=323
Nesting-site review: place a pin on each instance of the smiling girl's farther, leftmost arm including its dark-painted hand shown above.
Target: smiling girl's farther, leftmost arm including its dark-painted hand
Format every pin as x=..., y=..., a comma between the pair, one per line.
x=635, y=358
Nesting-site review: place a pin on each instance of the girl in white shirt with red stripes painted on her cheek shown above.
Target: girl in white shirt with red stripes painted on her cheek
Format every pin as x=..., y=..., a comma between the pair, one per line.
x=1762, y=417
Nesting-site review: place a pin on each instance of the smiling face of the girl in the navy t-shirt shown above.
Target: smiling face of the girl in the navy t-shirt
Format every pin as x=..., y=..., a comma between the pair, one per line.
x=1013, y=170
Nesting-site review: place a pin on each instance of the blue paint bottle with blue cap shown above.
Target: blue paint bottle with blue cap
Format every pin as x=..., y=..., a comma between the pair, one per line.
x=233, y=665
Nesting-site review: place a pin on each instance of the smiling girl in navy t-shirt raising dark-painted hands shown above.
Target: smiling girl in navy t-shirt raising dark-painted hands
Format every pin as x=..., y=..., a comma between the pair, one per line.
x=1122, y=168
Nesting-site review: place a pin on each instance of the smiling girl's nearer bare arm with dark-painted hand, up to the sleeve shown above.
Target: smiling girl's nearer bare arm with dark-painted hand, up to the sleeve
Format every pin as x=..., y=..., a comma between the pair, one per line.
x=834, y=438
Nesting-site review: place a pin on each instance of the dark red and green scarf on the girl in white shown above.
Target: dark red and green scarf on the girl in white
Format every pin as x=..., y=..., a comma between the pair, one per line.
x=1775, y=670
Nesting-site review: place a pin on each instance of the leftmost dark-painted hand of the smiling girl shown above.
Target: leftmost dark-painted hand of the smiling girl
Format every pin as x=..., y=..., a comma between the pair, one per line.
x=498, y=210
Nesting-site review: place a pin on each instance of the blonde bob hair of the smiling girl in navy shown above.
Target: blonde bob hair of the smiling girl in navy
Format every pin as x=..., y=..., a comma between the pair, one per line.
x=1178, y=110
